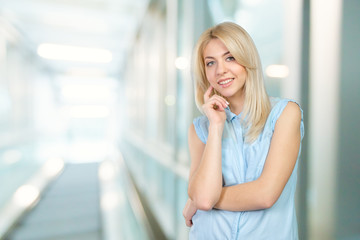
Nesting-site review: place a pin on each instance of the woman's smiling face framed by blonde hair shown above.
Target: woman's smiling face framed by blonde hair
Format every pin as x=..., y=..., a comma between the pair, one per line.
x=222, y=71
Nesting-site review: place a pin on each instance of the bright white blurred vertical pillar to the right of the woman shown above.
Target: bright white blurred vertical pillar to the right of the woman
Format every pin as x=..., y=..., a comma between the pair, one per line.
x=325, y=26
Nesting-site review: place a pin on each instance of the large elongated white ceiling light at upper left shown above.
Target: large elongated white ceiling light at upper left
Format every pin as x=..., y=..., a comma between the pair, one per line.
x=74, y=53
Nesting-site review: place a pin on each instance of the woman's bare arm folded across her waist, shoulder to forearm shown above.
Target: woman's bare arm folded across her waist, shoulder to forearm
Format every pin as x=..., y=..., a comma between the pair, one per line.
x=284, y=148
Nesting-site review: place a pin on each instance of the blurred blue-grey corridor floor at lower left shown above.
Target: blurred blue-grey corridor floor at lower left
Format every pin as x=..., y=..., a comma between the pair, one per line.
x=69, y=208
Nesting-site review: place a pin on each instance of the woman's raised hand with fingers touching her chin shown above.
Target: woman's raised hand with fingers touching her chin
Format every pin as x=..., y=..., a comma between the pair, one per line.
x=214, y=107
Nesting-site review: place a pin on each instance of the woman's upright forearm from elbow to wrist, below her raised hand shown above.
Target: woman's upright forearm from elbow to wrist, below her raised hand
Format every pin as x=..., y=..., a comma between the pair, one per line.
x=205, y=184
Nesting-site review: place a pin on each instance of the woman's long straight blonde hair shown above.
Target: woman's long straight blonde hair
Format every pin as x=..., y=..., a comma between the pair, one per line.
x=239, y=43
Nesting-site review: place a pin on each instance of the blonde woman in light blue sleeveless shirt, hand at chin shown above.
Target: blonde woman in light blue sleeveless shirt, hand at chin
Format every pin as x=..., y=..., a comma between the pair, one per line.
x=244, y=149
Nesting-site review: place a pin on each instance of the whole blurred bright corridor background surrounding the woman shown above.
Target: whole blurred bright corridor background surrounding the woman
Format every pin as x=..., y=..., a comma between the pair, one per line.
x=96, y=97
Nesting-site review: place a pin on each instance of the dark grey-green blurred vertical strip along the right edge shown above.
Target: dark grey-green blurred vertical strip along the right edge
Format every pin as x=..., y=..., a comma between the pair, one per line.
x=348, y=167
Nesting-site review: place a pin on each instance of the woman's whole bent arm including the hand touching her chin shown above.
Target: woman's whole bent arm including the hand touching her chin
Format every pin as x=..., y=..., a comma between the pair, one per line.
x=205, y=181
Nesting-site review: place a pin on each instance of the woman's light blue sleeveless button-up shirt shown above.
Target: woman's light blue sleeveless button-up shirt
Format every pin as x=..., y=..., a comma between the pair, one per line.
x=243, y=162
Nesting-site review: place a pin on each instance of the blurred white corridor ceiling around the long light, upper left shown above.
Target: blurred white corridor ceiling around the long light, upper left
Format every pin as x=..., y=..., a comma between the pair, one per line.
x=105, y=24
